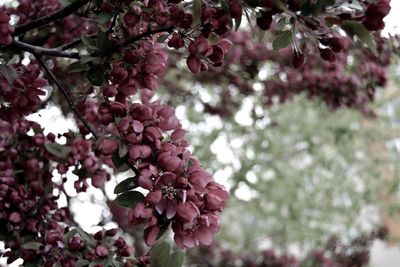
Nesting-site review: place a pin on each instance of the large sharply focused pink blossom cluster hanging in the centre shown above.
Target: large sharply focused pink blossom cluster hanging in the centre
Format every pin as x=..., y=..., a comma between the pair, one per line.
x=180, y=190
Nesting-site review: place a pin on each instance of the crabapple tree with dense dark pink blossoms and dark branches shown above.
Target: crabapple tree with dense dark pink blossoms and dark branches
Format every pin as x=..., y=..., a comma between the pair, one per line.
x=103, y=60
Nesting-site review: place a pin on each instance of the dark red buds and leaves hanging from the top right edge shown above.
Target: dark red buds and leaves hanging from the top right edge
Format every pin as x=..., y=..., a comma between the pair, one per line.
x=371, y=16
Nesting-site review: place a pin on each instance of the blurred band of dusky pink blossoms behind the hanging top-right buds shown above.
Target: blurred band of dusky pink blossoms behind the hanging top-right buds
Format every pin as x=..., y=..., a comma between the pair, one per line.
x=333, y=82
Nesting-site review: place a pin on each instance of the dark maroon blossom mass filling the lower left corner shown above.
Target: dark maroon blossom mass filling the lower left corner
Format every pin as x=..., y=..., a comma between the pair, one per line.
x=32, y=223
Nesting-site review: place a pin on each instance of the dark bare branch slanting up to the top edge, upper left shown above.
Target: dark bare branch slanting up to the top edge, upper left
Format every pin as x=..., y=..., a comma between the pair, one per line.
x=66, y=11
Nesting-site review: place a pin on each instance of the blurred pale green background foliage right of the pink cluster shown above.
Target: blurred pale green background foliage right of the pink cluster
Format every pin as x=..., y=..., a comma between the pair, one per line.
x=298, y=172
